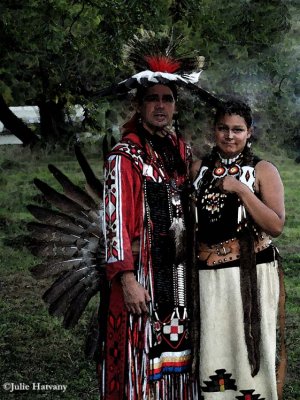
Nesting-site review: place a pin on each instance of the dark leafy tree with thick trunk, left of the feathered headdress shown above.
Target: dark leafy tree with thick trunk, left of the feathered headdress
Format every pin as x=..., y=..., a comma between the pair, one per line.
x=57, y=52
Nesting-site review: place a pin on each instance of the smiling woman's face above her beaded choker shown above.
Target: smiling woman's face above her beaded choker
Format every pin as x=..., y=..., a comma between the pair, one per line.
x=231, y=134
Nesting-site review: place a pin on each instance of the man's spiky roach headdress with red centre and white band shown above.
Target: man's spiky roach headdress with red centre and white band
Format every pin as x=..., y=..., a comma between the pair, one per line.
x=157, y=59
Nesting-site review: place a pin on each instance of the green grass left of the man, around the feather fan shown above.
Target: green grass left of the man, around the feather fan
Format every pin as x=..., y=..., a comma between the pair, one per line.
x=34, y=346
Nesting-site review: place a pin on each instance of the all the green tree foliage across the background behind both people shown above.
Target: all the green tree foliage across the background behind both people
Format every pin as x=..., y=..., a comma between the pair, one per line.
x=57, y=53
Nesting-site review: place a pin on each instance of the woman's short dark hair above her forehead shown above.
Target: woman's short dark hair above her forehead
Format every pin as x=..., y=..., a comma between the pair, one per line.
x=234, y=106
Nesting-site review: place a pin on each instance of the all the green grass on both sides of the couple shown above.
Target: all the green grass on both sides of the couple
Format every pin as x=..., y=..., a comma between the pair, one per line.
x=34, y=347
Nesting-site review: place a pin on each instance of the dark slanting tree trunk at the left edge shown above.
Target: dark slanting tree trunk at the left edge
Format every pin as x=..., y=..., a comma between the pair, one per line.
x=15, y=125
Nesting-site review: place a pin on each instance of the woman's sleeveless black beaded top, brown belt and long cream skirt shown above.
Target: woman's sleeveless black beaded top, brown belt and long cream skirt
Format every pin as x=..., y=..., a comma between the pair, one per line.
x=239, y=289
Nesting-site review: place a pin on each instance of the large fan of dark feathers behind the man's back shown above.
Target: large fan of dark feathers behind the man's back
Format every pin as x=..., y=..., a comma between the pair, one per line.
x=71, y=241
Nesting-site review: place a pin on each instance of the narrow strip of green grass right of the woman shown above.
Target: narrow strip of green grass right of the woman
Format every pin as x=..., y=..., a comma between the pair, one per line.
x=289, y=246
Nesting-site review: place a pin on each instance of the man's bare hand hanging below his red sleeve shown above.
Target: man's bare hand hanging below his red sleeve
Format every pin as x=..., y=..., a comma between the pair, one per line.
x=136, y=296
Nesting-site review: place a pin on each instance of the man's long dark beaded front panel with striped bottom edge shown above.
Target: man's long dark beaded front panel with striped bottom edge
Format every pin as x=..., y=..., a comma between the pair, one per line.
x=169, y=351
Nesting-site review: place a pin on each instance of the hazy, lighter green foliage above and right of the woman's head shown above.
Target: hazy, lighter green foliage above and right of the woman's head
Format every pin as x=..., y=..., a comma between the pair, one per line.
x=252, y=51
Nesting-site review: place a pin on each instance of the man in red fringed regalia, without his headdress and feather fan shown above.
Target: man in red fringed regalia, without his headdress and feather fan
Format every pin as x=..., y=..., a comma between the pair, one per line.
x=148, y=351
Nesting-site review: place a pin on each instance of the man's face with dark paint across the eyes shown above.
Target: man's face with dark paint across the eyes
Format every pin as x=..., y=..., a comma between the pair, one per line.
x=157, y=108
